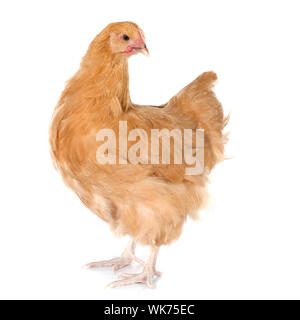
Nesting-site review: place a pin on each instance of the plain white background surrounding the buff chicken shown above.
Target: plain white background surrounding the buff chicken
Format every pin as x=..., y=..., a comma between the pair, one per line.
x=246, y=244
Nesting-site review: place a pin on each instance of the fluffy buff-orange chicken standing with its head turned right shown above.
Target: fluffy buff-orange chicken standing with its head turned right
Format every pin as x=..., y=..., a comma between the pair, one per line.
x=147, y=201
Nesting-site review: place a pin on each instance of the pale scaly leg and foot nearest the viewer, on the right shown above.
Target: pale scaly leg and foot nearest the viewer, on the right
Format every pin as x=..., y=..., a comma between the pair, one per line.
x=146, y=276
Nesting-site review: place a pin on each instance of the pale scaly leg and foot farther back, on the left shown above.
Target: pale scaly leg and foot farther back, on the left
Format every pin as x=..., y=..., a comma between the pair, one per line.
x=118, y=263
